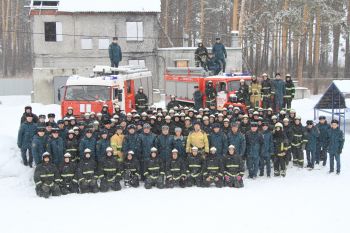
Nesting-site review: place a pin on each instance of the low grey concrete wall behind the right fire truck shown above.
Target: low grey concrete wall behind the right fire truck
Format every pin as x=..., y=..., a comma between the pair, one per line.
x=167, y=57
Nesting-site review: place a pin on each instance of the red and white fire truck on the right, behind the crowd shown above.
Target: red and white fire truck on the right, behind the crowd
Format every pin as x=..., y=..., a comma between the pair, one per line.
x=180, y=82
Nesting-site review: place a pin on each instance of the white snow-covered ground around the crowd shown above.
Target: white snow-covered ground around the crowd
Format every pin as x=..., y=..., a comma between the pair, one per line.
x=303, y=201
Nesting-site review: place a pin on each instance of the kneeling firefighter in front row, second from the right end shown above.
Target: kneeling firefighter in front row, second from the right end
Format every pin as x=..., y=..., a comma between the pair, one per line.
x=212, y=170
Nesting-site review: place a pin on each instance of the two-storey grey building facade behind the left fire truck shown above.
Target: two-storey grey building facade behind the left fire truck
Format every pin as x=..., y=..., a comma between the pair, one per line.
x=70, y=41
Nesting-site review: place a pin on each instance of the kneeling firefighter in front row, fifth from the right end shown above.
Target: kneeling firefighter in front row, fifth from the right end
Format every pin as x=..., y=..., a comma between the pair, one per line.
x=154, y=170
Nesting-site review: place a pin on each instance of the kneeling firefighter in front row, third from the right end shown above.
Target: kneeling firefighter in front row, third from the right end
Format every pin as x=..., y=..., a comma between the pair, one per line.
x=194, y=168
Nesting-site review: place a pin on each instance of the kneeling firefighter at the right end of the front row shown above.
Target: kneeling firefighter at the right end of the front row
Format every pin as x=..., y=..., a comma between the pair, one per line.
x=233, y=166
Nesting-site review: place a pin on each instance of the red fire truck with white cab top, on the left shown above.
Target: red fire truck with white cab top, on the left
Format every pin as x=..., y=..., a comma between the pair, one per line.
x=89, y=94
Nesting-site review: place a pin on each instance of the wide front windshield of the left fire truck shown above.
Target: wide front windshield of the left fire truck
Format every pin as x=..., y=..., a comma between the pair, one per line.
x=88, y=93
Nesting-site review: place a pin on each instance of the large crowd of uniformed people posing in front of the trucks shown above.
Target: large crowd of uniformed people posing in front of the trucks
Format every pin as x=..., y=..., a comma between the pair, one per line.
x=176, y=146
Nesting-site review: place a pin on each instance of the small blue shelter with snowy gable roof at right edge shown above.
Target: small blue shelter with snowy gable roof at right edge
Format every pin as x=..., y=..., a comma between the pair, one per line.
x=335, y=101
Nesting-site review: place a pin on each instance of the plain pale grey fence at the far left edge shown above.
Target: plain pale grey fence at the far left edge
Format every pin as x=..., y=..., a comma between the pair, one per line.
x=16, y=86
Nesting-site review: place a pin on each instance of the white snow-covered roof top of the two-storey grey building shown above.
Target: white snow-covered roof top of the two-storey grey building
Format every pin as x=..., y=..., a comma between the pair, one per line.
x=109, y=6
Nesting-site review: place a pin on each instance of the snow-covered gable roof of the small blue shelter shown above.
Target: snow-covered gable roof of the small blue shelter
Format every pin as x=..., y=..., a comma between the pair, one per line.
x=337, y=96
